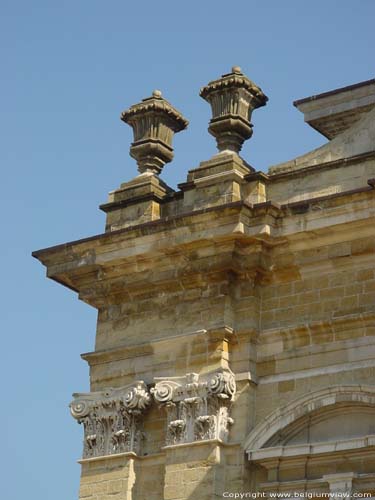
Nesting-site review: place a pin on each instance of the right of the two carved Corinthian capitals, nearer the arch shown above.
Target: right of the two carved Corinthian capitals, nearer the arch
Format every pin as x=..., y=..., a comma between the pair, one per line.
x=197, y=407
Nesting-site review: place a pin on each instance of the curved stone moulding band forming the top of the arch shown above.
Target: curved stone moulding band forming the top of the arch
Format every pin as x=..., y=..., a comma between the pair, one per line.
x=323, y=398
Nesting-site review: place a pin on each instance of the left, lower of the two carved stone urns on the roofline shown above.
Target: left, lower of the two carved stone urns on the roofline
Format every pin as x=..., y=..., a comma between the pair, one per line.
x=154, y=121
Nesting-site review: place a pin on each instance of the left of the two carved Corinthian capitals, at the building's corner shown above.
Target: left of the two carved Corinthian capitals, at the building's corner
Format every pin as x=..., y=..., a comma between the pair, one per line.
x=111, y=419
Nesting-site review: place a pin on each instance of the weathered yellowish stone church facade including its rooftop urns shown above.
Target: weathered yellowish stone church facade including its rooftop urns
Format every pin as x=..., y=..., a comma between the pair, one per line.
x=235, y=344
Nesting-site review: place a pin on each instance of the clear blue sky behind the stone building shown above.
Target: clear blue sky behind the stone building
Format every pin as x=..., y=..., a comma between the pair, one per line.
x=68, y=69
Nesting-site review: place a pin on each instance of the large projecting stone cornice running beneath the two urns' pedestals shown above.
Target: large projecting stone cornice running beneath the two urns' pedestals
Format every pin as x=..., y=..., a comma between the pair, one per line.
x=234, y=238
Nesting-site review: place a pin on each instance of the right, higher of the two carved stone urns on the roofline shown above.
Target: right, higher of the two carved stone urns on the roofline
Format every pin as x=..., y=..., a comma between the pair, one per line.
x=233, y=97
